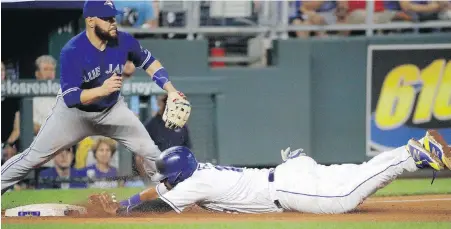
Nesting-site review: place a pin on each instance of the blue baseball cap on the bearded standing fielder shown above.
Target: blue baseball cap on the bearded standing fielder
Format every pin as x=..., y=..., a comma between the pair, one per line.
x=96, y=8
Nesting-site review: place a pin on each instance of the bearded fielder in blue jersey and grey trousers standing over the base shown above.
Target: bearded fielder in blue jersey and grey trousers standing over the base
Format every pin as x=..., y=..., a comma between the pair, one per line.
x=89, y=101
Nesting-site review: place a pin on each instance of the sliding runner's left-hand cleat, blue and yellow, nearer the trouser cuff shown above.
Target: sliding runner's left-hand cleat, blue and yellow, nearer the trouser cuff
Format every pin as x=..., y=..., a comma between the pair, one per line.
x=422, y=157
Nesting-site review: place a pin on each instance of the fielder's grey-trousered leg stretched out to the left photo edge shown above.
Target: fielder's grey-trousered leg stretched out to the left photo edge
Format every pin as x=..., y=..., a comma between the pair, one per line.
x=63, y=127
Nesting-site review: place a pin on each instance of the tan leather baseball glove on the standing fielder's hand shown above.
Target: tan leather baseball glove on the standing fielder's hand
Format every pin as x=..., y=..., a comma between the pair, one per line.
x=177, y=111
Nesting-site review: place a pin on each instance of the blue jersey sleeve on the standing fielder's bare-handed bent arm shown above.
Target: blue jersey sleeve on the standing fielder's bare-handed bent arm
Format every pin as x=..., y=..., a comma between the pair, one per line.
x=71, y=77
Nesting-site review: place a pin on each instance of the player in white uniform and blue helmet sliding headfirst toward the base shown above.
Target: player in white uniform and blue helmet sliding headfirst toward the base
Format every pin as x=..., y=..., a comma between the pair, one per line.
x=298, y=184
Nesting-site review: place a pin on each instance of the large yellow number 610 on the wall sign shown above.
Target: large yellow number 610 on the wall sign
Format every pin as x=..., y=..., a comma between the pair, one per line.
x=398, y=93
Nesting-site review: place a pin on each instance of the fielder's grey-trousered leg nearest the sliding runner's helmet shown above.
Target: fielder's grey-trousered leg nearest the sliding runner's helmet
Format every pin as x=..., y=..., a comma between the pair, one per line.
x=121, y=124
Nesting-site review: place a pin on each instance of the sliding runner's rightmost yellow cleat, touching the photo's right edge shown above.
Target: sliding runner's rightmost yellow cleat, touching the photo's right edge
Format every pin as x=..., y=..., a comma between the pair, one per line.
x=435, y=144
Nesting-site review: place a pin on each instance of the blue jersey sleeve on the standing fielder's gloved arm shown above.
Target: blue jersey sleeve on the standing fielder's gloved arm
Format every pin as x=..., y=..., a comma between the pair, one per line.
x=140, y=56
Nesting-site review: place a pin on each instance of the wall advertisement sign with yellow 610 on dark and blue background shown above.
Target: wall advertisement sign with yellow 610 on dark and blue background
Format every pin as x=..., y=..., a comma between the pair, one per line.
x=408, y=92
